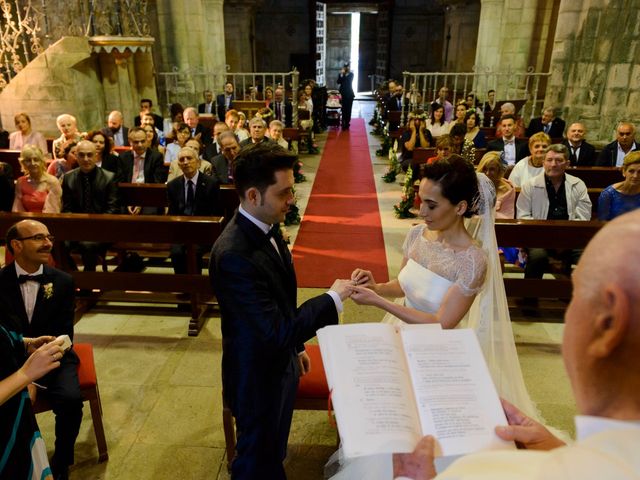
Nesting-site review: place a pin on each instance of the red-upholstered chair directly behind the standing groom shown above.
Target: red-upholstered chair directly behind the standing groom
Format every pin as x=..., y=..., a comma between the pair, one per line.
x=313, y=394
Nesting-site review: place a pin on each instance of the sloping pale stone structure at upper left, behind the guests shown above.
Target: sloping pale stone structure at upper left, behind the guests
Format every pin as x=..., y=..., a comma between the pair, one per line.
x=63, y=79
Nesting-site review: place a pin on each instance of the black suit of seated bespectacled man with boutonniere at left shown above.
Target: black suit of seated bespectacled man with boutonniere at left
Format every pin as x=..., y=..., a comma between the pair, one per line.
x=51, y=316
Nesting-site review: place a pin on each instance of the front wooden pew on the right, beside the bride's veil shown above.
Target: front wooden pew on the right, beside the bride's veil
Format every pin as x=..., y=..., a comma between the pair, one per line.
x=553, y=234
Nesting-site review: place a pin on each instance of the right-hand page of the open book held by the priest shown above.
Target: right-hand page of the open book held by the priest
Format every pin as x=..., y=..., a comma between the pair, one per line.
x=457, y=401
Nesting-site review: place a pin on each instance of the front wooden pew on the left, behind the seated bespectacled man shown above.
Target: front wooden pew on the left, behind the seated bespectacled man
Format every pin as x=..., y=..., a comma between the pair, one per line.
x=128, y=286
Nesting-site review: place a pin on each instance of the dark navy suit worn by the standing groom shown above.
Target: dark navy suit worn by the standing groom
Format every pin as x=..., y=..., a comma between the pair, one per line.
x=262, y=332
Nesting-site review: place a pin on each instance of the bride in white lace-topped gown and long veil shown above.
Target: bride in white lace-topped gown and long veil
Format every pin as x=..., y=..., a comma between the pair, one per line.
x=451, y=275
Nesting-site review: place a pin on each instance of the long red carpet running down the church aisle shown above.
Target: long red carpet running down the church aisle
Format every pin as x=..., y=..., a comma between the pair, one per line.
x=341, y=228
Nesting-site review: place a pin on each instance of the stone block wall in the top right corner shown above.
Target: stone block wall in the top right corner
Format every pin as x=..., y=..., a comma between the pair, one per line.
x=595, y=64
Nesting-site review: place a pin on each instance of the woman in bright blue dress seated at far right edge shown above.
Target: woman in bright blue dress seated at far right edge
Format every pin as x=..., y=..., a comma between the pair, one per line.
x=623, y=196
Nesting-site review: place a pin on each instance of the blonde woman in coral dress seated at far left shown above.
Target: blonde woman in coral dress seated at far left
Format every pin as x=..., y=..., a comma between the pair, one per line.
x=36, y=190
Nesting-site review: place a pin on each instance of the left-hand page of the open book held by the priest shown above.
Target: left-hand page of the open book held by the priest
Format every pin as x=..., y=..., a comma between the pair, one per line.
x=371, y=392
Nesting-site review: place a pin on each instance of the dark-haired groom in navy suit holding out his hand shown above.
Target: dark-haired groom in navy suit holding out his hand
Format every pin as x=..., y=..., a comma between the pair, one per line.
x=263, y=330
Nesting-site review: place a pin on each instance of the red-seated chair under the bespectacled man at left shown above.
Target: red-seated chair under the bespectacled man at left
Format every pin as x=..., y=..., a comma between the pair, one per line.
x=89, y=388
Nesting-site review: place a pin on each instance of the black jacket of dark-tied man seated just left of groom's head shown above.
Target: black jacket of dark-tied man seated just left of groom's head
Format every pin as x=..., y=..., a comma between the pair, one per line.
x=206, y=200
